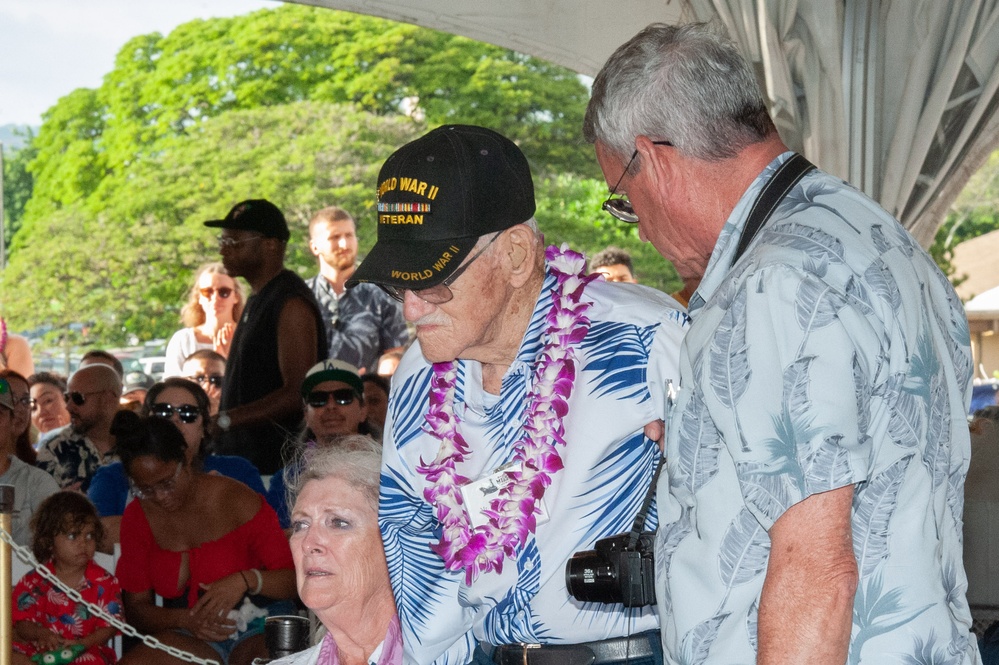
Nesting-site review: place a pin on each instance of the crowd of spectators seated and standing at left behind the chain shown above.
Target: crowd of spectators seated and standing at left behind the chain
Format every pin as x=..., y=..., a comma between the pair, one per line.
x=194, y=527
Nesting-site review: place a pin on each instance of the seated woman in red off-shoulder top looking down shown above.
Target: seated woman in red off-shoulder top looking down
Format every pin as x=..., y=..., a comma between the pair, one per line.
x=208, y=545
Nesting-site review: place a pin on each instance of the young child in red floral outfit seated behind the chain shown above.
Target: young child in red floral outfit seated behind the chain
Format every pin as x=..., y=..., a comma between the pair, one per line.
x=65, y=532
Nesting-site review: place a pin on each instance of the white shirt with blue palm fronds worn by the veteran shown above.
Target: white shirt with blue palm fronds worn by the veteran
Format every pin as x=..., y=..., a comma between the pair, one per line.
x=629, y=353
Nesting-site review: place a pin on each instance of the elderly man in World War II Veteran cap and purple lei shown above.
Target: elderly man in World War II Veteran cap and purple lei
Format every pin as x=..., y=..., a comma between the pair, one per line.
x=515, y=431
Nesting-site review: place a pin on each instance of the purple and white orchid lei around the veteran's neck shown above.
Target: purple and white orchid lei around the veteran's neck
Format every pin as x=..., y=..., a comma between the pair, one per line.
x=513, y=514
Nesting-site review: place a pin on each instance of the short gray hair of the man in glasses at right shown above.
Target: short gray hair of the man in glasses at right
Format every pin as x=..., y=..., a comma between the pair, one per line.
x=684, y=84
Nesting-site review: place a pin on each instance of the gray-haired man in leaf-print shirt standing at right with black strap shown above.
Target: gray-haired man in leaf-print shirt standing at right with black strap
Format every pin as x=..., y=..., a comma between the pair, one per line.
x=818, y=448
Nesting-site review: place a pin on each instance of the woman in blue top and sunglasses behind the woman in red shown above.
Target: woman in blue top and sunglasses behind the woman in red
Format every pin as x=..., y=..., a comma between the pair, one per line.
x=185, y=404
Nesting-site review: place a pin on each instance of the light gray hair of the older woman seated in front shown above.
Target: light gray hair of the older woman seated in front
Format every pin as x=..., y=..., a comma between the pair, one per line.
x=355, y=459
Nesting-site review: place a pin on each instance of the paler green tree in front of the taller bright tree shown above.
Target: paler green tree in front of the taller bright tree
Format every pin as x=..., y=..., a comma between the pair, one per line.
x=127, y=268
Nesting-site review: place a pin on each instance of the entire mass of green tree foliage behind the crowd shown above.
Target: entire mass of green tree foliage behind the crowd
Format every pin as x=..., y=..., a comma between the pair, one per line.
x=296, y=104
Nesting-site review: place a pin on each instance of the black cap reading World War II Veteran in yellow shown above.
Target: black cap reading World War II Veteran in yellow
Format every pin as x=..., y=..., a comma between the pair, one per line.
x=436, y=196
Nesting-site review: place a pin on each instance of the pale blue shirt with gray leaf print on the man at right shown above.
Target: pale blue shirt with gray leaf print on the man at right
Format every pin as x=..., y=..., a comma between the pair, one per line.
x=833, y=353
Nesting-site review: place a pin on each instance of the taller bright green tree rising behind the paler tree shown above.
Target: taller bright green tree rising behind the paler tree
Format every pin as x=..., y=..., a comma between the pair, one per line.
x=167, y=86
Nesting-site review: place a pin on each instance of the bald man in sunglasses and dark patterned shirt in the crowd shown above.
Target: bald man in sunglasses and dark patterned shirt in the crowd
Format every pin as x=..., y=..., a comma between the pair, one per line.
x=74, y=454
